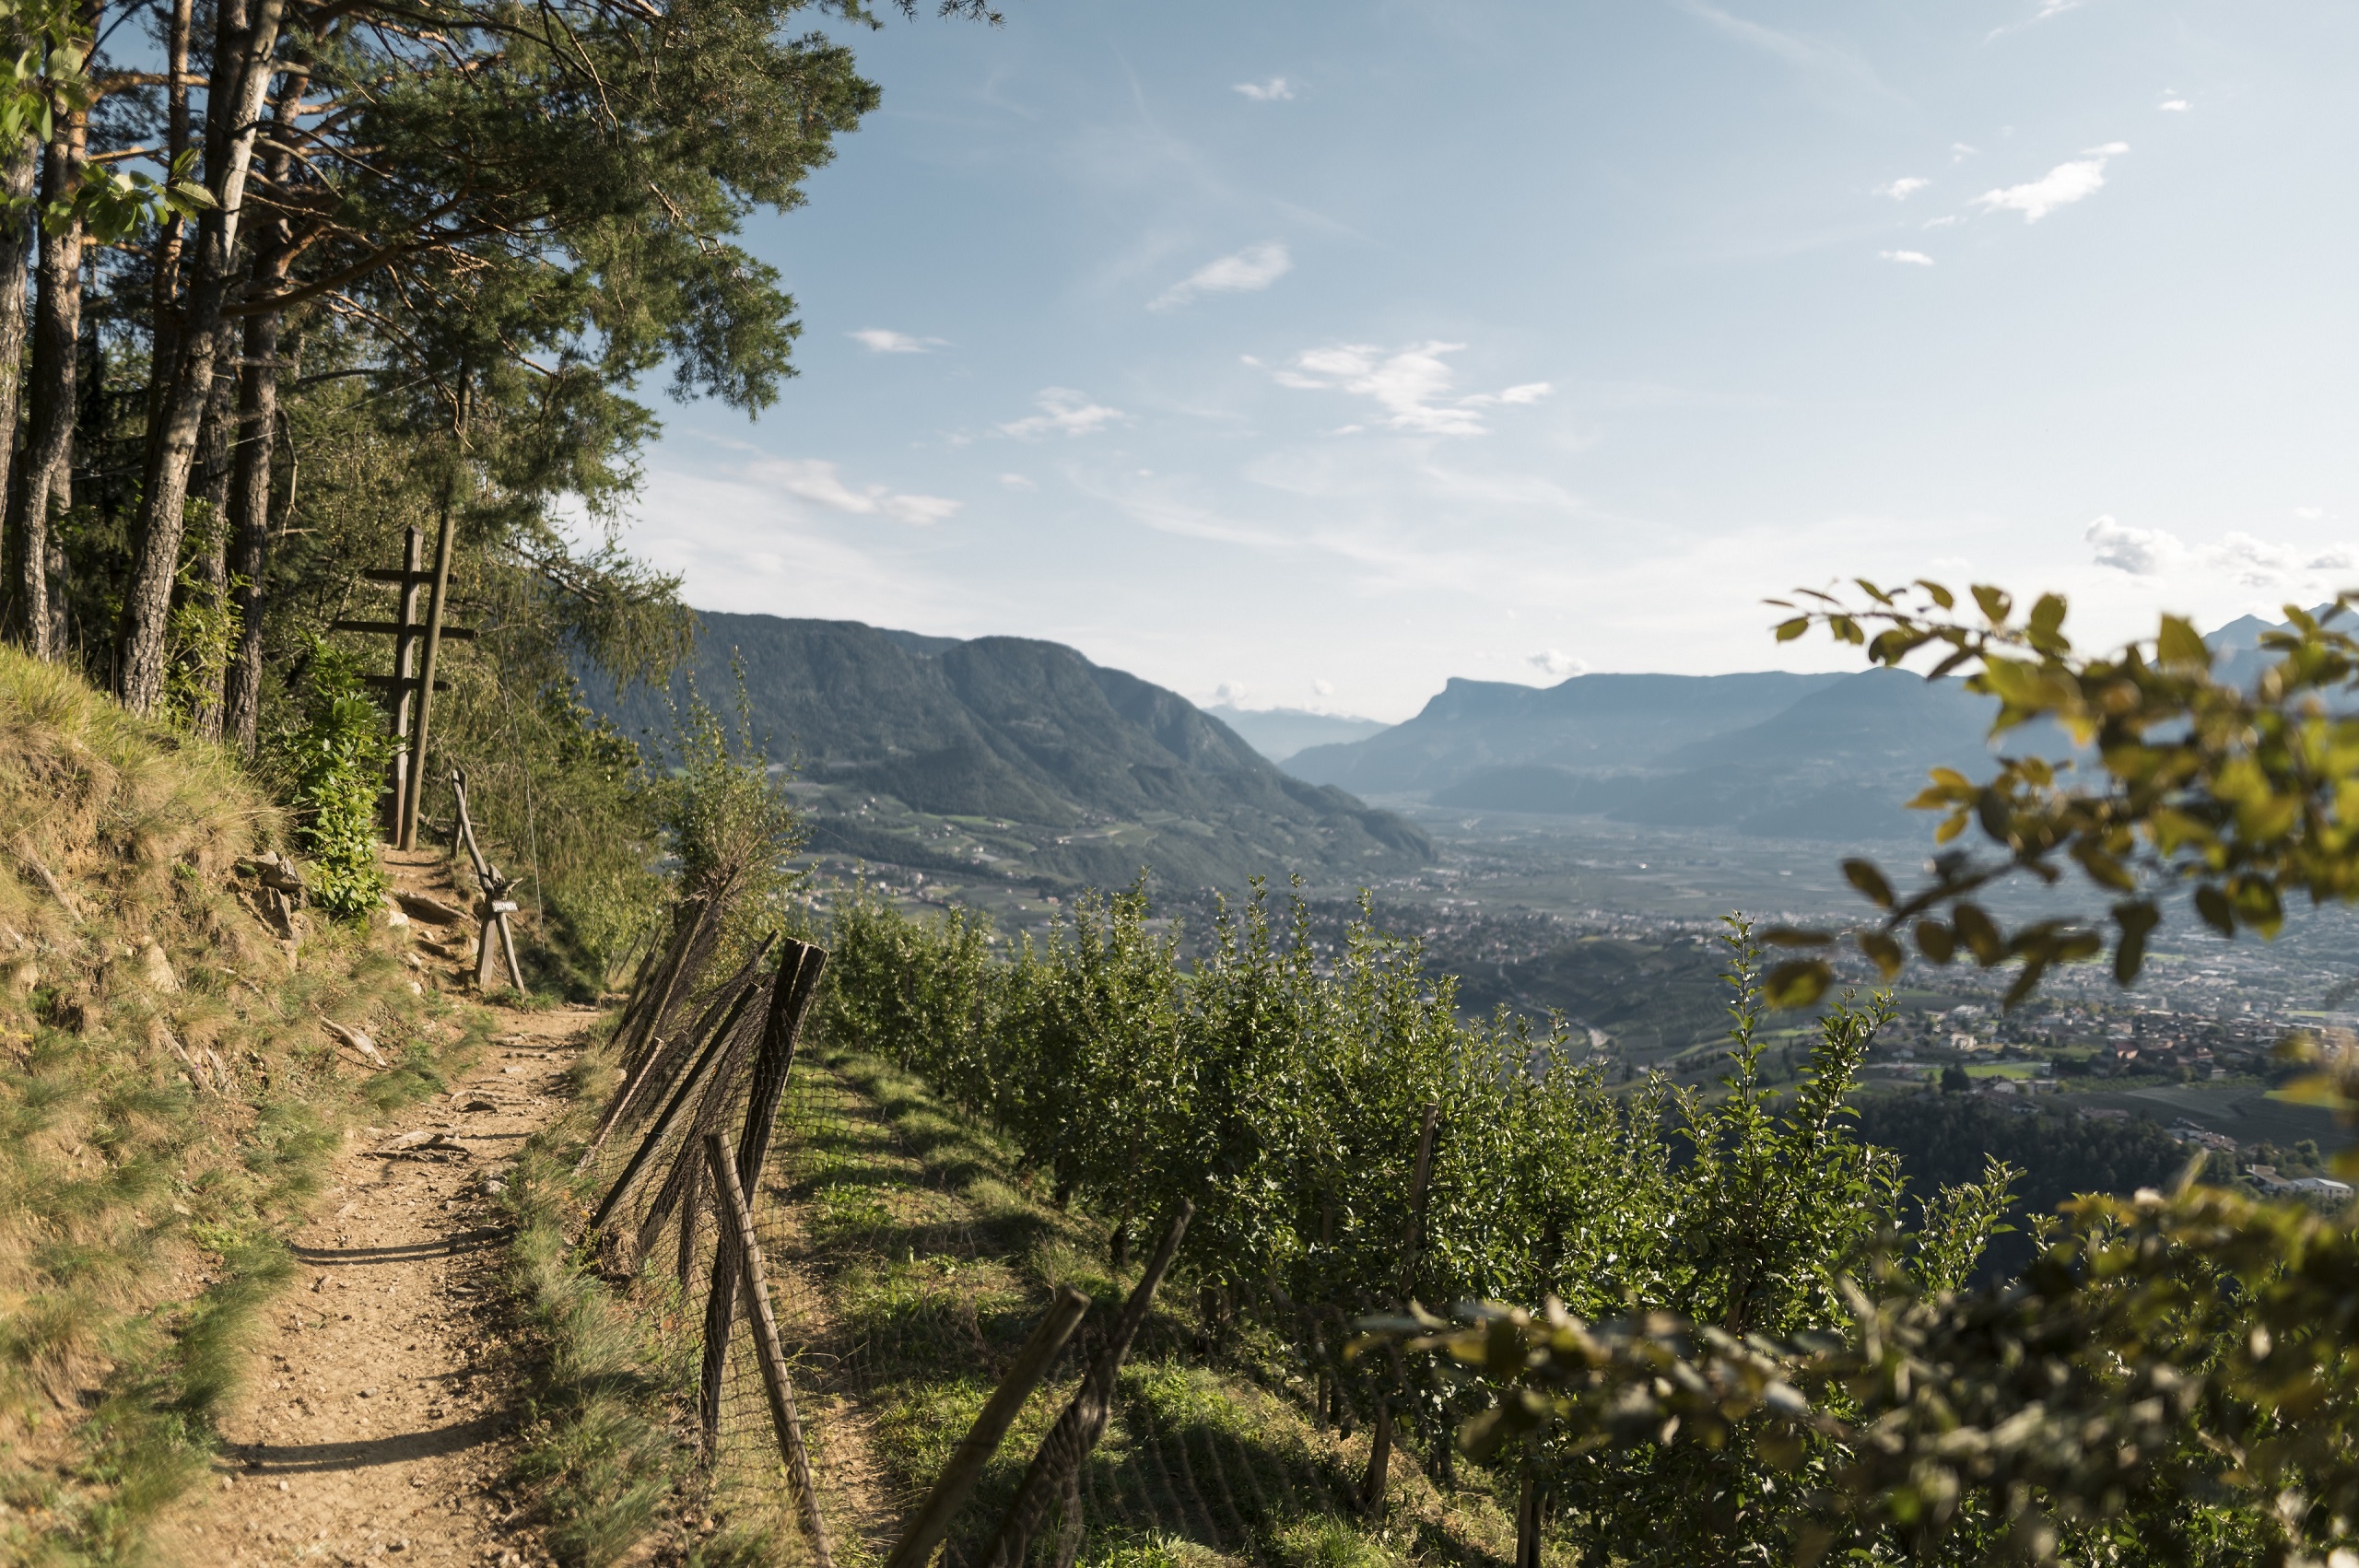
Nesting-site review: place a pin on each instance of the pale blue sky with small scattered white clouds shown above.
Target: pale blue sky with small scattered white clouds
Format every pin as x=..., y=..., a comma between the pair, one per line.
x=1310, y=355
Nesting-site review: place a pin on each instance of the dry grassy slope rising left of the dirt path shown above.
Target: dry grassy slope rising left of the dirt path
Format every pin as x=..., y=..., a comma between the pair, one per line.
x=166, y=1102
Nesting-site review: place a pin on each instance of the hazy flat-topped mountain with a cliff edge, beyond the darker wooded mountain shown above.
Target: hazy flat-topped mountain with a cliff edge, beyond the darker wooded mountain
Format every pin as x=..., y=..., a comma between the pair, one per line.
x=1591, y=723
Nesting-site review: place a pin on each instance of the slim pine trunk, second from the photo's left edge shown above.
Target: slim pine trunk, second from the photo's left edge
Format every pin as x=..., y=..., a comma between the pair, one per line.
x=58, y=329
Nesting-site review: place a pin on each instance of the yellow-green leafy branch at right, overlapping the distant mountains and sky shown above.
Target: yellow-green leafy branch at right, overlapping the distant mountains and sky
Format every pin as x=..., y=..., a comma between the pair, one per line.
x=2235, y=796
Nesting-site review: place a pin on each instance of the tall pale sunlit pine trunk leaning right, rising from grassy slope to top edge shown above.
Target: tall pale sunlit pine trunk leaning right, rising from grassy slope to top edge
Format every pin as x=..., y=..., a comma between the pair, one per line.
x=232, y=117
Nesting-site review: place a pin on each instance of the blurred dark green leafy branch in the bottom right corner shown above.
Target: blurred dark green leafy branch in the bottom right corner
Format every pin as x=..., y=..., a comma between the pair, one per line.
x=2162, y=1348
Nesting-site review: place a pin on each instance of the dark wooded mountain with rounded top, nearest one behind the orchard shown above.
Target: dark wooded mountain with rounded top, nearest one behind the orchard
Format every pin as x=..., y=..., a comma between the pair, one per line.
x=1018, y=760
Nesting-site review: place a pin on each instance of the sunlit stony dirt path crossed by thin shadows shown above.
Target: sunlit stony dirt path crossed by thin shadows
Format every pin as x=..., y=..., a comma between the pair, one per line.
x=376, y=1418
